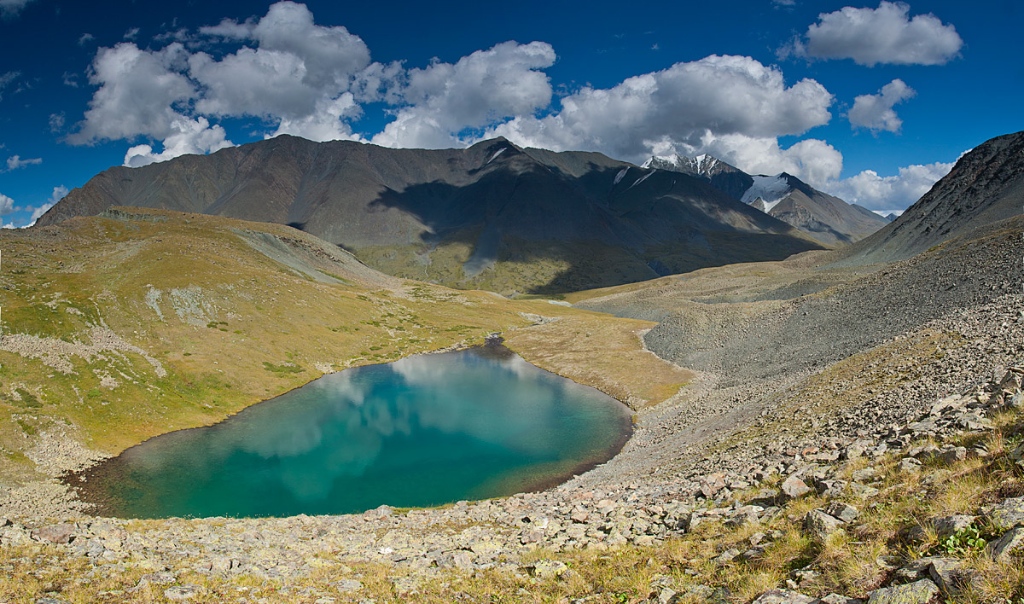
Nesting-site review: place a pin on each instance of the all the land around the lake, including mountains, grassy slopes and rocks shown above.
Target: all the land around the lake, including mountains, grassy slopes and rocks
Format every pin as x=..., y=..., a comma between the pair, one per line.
x=817, y=394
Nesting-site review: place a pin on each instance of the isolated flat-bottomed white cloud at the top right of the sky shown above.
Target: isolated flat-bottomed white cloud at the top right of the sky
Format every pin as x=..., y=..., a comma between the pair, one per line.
x=883, y=35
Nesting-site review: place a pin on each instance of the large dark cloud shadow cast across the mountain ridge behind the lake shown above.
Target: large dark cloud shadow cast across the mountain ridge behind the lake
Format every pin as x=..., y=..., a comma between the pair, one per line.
x=598, y=228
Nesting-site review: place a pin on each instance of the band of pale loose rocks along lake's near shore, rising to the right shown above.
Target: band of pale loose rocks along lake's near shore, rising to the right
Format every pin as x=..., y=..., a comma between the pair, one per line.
x=671, y=477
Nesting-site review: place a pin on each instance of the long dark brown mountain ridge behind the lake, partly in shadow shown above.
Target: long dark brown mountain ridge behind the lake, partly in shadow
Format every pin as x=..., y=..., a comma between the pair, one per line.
x=492, y=217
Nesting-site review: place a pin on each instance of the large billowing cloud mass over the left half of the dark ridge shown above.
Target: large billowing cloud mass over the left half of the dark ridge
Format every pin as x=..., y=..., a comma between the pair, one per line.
x=289, y=71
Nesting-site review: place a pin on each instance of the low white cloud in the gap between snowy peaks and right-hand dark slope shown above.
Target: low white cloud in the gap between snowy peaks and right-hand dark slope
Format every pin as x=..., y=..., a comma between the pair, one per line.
x=889, y=194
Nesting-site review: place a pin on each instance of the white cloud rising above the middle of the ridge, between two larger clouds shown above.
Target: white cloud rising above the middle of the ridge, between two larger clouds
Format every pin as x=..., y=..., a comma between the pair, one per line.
x=444, y=100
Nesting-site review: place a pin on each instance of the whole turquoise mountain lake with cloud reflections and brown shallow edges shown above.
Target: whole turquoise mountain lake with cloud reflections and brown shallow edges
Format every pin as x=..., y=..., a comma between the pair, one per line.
x=423, y=432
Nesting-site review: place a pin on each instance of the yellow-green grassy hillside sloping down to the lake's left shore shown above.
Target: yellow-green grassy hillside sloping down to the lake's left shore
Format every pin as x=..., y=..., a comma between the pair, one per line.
x=139, y=323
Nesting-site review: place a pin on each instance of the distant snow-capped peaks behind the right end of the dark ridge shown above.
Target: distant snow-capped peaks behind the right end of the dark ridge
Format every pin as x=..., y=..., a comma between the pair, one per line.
x=827, y=219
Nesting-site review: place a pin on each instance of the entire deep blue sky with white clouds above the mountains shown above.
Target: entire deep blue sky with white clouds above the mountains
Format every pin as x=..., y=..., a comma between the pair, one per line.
x=872, y=102
